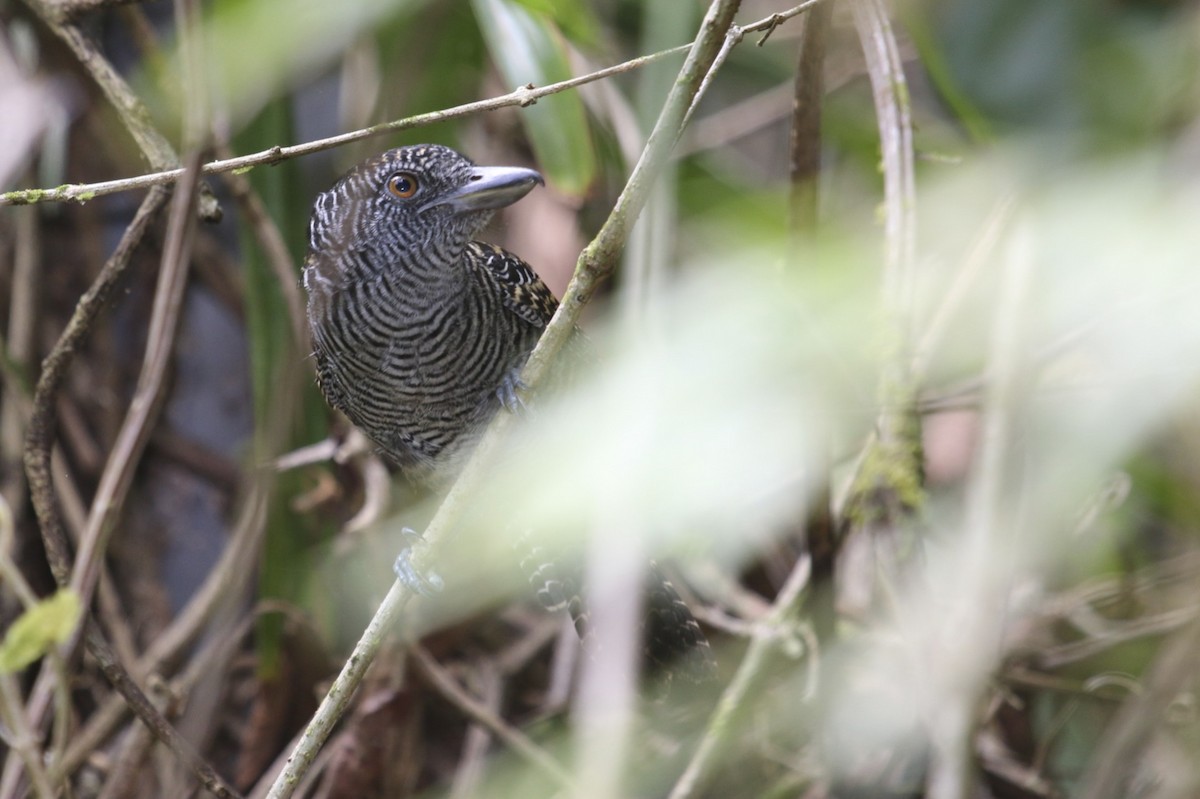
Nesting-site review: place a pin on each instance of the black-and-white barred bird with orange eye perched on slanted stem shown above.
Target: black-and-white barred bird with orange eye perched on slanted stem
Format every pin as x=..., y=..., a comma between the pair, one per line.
x=421, y=333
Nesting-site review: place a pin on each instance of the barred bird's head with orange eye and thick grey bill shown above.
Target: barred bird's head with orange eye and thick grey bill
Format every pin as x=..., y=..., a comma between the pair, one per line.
x=424, y=200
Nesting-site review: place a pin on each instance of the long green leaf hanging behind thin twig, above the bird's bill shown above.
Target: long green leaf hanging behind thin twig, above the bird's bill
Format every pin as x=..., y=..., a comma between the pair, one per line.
x=527, y=49
